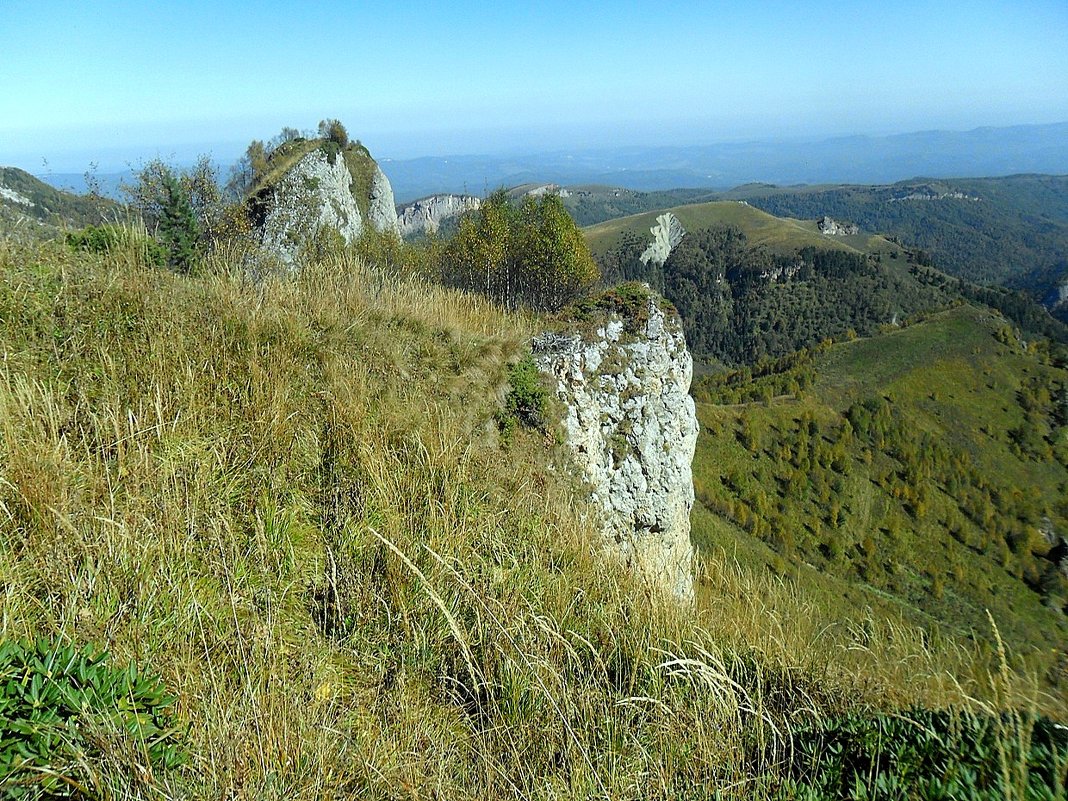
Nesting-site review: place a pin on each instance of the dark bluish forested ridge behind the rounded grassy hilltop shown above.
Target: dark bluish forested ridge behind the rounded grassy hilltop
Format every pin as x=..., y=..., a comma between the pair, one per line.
x=1011, y=231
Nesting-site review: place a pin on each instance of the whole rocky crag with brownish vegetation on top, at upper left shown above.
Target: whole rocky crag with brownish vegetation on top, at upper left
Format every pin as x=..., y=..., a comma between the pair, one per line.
x=316, y=189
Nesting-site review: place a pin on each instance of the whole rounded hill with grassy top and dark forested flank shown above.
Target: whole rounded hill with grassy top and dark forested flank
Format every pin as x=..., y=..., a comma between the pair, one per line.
x=777, y=285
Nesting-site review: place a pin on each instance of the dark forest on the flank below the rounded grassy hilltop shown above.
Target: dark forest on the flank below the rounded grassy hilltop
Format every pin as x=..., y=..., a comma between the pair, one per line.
x=741, y=305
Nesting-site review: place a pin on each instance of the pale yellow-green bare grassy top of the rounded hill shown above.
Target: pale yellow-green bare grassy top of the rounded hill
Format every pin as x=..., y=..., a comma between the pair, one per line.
x=780, y=235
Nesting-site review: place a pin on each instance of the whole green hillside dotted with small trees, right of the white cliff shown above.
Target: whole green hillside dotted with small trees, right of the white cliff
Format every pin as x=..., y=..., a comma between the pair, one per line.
x=925, y=469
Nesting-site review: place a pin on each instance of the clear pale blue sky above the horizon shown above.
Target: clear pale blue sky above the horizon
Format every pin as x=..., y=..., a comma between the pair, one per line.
x=115, y=83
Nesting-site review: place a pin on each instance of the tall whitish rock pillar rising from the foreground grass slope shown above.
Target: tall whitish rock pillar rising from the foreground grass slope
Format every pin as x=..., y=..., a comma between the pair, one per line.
x=632, y=431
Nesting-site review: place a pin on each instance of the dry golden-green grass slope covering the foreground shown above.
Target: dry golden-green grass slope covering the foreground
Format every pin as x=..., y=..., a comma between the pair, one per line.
x=289, y=499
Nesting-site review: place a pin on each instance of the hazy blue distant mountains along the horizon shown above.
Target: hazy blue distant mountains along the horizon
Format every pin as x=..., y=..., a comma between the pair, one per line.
x=859, y=160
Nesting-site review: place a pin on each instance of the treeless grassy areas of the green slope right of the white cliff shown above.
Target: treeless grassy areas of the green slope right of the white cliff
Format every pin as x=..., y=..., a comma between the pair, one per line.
x=950, y=376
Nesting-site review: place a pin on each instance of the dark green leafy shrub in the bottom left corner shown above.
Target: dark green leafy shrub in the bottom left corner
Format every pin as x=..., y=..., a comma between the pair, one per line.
x=61, y=709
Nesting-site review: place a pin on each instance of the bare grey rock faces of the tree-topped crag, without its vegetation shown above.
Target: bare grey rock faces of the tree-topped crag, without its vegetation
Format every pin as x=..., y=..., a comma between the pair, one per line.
x=317, y=197
